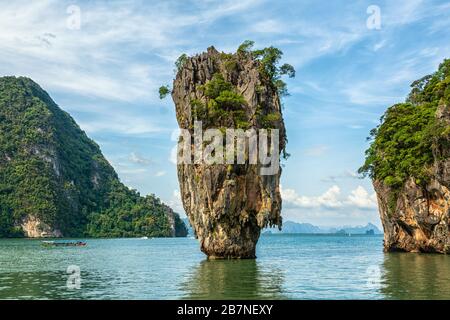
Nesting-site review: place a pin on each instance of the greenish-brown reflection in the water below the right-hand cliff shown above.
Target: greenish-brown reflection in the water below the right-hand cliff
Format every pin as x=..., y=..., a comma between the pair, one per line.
x=416, y=276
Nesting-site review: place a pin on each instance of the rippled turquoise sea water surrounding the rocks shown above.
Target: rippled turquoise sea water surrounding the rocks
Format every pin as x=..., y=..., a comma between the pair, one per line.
x=288, y=267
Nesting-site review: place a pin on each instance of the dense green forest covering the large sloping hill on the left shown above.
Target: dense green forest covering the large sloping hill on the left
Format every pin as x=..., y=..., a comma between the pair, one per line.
x=51, y=170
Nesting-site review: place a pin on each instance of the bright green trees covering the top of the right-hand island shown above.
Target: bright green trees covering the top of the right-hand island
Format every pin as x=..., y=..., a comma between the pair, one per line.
x=402, y=146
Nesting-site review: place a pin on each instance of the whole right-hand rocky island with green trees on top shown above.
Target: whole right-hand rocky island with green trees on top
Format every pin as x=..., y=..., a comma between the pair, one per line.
x=409, y=163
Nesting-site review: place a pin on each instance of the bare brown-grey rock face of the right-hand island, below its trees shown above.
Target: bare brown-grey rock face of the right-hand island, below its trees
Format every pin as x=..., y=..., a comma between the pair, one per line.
x=419, y=220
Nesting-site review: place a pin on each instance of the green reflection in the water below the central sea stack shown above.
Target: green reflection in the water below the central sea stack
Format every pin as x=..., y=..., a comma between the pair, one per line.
x=234, y=279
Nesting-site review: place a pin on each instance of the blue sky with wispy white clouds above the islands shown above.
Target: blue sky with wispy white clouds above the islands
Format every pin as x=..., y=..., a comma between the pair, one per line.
x=106, y=75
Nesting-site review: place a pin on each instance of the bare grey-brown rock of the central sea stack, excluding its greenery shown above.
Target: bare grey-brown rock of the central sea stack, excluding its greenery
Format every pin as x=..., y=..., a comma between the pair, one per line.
x=228, y=205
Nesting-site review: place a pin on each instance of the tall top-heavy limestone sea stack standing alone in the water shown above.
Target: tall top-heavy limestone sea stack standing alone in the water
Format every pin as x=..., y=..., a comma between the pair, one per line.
x=228, y=203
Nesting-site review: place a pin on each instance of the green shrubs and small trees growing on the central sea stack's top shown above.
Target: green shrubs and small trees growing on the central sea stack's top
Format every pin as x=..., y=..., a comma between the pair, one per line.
x=223, y=107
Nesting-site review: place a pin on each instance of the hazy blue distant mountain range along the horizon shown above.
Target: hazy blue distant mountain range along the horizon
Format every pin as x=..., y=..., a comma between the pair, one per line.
x=307, y=228
